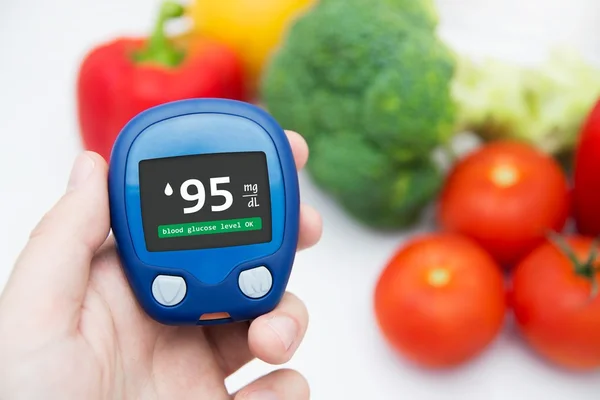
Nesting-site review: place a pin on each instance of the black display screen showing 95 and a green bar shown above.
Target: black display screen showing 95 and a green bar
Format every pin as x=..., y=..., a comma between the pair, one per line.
x=205, y=201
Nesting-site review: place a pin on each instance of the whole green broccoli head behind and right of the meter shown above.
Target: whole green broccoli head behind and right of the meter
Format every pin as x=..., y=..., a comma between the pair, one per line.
x=368, y=85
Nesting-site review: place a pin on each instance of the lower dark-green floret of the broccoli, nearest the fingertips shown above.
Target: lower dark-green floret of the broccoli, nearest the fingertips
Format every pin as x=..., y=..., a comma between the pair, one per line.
x=369, y=184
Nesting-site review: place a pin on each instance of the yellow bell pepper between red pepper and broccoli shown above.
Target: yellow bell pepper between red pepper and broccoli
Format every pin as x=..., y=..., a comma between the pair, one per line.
x=252, y=28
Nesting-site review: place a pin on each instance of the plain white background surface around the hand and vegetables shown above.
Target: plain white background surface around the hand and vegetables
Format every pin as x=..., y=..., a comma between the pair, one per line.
x=343, y=355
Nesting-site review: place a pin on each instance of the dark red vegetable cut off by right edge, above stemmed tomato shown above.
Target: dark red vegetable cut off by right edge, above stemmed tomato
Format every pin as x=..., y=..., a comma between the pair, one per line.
x=586, y=179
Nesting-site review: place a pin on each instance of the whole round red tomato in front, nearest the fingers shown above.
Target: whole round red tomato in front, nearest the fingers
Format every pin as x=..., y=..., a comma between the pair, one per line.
x=441, y=300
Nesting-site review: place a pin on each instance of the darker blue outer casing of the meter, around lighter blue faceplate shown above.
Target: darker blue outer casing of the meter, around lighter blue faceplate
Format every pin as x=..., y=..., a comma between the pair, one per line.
x=201, y=297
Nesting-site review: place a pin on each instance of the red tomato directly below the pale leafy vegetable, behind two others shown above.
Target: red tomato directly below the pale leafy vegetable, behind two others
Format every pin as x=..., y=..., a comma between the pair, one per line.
x=506, y=196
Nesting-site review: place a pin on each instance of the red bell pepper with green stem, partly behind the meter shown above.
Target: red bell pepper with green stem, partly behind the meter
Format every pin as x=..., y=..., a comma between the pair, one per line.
x=124, y=77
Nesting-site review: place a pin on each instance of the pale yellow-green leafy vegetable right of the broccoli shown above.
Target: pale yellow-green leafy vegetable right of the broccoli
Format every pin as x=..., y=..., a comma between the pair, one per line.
x=544, y=105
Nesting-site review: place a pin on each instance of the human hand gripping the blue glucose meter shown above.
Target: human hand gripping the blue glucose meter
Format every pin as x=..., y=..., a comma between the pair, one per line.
x=70, y=327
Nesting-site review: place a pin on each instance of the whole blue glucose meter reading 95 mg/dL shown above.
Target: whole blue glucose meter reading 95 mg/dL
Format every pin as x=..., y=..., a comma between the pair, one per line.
x=204, y=206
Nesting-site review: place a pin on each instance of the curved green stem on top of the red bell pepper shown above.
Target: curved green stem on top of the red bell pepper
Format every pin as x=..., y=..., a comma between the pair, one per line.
x=159, y=49
